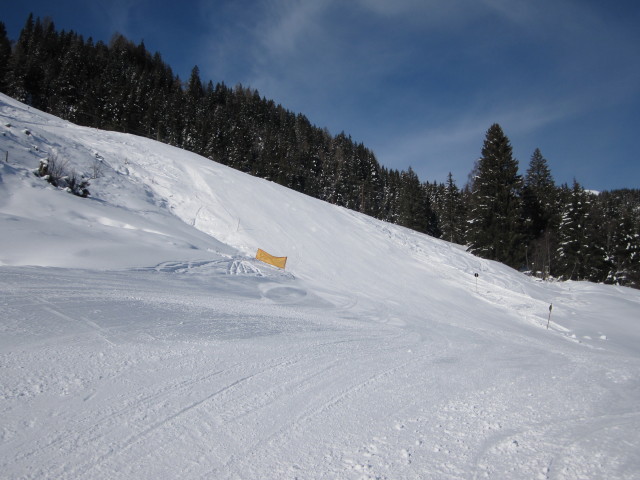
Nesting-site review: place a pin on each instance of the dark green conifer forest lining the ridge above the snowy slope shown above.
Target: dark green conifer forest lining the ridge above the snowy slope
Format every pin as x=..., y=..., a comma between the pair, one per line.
x=525, y=221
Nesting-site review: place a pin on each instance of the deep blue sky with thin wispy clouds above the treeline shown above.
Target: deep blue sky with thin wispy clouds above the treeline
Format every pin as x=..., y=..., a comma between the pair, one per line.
x=417, y=81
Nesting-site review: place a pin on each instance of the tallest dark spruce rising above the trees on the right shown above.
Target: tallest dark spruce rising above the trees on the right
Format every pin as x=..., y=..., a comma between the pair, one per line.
x=494, y=224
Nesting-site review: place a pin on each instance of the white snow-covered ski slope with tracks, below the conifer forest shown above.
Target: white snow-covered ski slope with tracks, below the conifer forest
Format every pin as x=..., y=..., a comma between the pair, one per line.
x=140, y=338
